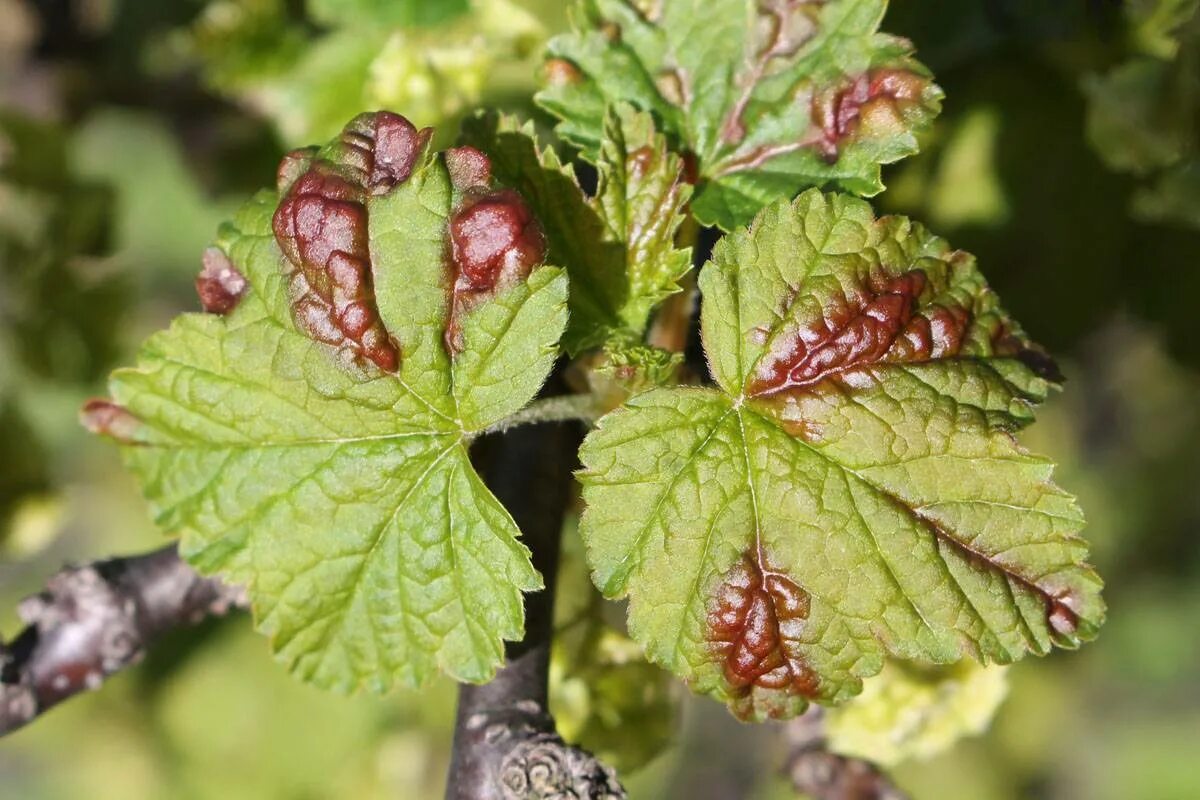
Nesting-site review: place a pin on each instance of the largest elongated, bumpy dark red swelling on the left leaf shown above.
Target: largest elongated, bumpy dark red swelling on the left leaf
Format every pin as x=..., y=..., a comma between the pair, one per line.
x=322, y=228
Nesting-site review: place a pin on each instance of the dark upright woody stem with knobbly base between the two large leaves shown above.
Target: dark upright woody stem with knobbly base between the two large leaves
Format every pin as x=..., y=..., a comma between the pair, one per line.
x=506, y=747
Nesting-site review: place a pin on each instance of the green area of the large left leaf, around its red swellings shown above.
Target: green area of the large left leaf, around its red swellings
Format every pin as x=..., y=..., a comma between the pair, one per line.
x=344, y=496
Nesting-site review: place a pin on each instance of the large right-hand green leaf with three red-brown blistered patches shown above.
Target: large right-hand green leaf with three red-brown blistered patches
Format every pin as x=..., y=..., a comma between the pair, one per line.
x=853, y=489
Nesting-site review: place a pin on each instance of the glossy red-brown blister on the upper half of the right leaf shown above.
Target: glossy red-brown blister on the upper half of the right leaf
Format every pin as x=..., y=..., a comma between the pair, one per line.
x=880, y=323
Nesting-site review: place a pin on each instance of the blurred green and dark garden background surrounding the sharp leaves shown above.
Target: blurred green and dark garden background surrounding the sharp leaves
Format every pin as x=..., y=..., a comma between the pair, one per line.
x=1067, y=159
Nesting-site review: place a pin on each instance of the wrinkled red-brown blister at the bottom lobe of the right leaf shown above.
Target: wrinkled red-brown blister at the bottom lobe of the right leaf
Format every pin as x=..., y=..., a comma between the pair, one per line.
x=753, y=624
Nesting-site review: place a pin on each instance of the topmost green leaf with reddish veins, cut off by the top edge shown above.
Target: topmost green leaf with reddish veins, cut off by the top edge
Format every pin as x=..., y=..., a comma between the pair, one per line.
x=770, y=99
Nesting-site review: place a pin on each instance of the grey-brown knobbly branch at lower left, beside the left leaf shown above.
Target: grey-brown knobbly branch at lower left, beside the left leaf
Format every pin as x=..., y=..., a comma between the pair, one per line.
x=95, y=621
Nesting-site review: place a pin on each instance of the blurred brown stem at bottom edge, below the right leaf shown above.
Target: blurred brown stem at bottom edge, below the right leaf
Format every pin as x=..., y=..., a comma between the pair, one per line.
x=824, y=775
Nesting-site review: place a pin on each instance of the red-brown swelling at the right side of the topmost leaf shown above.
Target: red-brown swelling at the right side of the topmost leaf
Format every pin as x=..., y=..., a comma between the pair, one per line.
x=878, y=100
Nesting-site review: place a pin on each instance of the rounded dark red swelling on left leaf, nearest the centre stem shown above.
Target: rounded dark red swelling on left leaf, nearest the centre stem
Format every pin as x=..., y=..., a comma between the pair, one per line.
x=495, y=243
